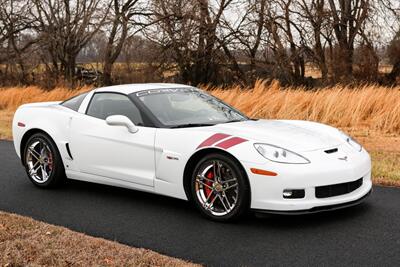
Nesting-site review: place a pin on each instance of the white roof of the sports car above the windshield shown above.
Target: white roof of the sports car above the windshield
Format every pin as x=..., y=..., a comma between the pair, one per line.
x=136, y=87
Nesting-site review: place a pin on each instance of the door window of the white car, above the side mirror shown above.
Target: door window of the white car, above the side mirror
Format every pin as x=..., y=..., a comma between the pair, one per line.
x=103, y=105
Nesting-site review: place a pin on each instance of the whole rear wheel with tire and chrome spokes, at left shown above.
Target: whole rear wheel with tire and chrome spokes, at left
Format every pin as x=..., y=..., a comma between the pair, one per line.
x=43, y=162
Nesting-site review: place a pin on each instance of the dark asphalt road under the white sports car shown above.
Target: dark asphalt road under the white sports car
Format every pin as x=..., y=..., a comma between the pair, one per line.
x=366, y=235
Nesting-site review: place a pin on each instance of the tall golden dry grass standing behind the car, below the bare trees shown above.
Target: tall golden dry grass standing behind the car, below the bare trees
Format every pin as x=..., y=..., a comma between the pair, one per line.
x=366, y=107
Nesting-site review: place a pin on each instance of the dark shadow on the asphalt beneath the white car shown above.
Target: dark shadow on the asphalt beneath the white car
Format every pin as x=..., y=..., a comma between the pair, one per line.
x=176, y=208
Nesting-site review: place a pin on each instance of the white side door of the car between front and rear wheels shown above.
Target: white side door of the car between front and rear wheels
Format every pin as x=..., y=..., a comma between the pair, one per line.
x=112, y=151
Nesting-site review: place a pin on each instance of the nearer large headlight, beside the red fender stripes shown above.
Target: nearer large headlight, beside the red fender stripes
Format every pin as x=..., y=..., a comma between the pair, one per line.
x=279, y=154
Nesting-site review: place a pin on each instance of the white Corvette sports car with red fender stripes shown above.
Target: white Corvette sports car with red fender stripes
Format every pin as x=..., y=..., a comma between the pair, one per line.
x=179, y=141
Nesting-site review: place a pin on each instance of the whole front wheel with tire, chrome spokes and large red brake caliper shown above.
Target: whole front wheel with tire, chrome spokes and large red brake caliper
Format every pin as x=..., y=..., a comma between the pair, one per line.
x=220, y=188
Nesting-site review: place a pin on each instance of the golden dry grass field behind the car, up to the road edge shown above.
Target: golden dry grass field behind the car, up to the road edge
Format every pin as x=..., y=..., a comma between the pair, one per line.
x=370, y=113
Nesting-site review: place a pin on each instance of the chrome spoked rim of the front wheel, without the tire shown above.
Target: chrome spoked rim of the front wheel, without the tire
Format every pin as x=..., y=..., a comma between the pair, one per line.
x=217, y=188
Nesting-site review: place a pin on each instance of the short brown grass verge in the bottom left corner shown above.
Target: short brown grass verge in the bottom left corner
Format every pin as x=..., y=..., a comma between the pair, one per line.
x=26, y=242
